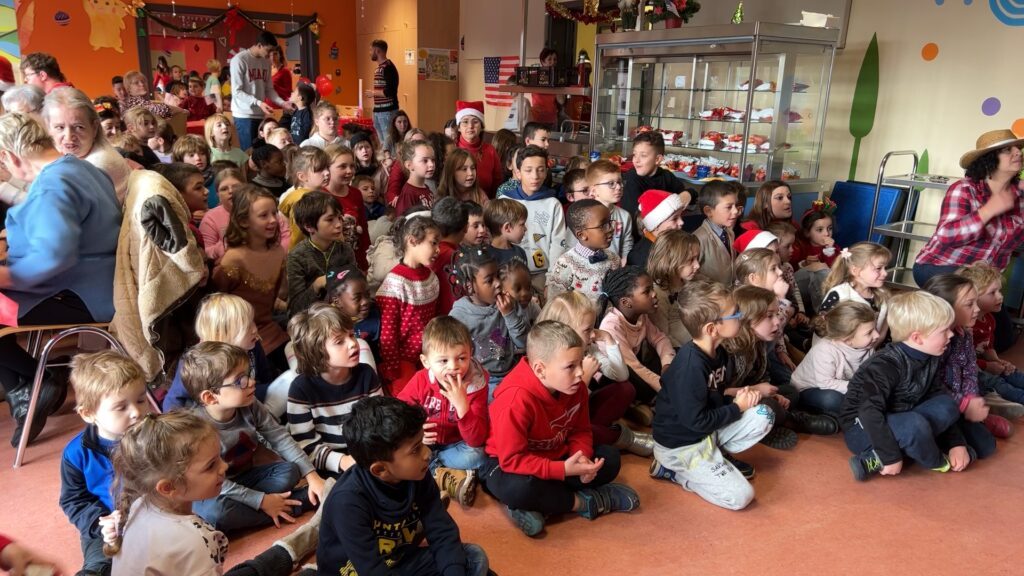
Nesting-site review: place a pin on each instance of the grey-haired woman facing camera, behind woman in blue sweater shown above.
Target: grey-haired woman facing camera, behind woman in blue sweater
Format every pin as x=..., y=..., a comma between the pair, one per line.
x=75, y=127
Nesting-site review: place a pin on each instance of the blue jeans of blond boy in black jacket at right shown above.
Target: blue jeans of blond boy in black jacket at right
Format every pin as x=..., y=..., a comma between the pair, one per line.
x=915, y=431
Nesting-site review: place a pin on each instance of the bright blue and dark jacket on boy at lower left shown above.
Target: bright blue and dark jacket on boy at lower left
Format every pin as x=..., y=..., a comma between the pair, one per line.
x=87, y=475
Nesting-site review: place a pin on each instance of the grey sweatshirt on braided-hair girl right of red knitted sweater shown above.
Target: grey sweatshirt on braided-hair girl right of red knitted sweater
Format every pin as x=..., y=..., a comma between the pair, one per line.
x=495, y=338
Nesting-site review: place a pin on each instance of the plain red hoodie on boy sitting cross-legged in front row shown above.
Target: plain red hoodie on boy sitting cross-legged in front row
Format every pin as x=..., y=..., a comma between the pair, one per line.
x=533, y=430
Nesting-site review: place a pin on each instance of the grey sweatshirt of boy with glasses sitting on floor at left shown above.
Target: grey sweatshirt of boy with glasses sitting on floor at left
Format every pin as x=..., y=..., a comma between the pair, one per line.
x=239, y=439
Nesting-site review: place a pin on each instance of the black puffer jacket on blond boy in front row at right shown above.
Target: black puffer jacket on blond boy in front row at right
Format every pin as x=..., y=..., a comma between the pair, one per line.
x=895, y=380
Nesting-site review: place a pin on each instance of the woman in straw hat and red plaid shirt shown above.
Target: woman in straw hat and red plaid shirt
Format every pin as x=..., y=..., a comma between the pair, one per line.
x=983, y=218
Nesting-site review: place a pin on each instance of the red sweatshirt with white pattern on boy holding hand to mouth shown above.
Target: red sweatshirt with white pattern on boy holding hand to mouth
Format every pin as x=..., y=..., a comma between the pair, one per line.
x=473, y=429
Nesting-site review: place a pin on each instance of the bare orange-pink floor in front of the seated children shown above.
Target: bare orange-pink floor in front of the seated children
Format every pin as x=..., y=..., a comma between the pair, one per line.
x=809, y=518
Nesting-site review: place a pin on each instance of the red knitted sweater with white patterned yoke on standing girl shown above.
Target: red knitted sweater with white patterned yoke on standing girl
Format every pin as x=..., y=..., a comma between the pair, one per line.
x=408, y=300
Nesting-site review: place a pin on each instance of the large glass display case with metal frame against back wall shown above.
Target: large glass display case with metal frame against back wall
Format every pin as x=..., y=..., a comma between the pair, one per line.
x=745, y=102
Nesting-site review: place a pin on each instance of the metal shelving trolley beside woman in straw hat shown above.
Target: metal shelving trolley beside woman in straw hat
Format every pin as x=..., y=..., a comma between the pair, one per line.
x=908, y=229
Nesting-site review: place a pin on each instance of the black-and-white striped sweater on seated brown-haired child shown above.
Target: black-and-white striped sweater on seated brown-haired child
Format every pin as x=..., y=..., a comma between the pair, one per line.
x=318, y=408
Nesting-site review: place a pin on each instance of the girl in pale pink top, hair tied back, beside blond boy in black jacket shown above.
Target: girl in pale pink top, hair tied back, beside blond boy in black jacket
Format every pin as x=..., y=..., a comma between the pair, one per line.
x=848, y=340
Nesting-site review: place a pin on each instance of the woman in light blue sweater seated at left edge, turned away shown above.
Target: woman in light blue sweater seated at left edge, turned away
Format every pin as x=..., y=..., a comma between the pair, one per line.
x=62, y=244
